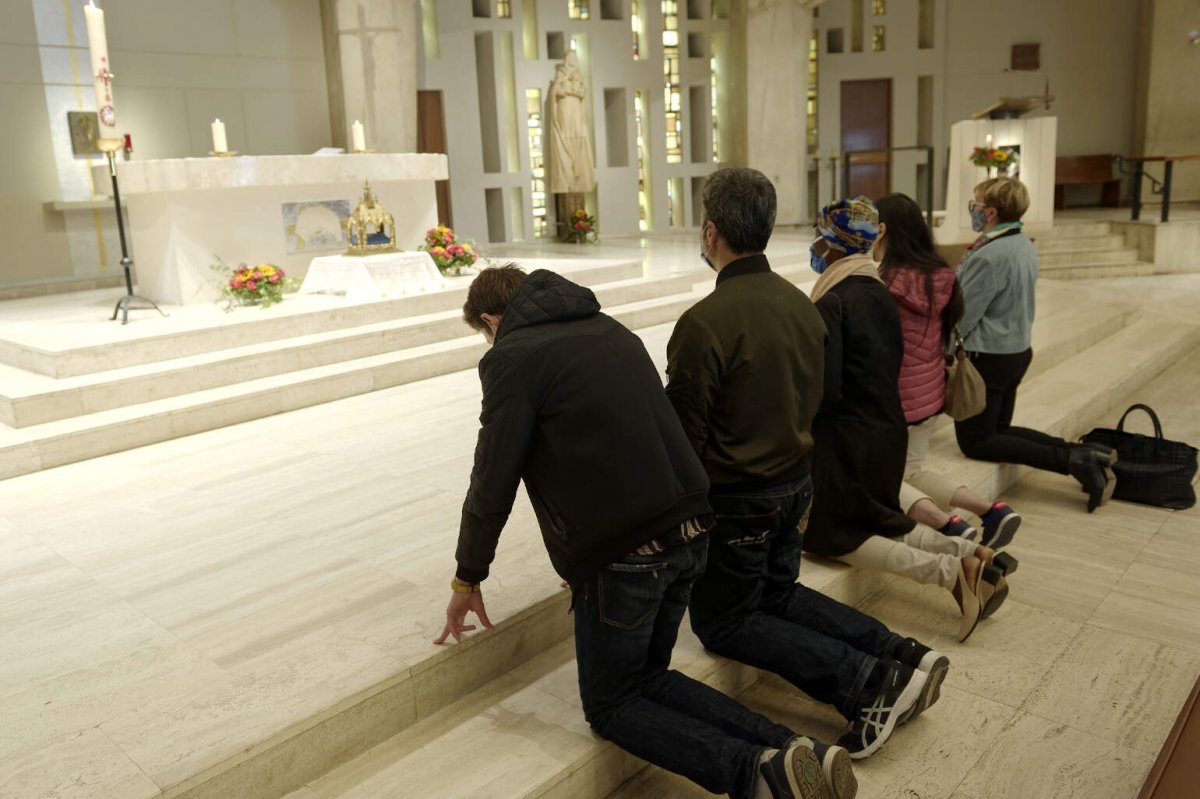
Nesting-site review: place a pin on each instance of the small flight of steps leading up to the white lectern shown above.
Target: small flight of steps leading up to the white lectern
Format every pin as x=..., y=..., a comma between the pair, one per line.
x=1088, y=250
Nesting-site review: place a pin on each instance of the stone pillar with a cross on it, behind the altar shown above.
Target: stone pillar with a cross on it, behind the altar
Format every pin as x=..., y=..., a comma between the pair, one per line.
x=371, y=62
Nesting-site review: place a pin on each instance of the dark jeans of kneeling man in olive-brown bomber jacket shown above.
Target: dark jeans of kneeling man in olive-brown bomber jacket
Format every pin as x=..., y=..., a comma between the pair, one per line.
x=748, y=605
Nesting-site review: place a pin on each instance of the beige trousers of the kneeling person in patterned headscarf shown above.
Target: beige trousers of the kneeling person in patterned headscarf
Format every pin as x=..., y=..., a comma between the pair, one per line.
x=925, y=555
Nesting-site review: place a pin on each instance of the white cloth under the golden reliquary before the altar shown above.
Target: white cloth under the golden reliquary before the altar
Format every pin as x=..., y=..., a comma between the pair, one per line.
x=373, y=278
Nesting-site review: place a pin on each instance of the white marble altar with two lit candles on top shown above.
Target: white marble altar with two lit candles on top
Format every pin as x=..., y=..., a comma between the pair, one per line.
x=188, y=213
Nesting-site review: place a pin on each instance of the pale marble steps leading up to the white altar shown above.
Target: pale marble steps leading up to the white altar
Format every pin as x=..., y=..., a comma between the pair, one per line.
x=69, y=405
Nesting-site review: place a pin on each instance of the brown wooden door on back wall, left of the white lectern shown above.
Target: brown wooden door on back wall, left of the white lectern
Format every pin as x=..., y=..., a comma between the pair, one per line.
x=867, y=127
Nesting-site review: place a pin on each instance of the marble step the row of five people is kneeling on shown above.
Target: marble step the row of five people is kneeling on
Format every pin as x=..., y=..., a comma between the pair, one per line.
x=525, y=731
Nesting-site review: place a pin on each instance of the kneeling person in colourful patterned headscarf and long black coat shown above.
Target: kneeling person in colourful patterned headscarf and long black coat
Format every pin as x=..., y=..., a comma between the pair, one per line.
x=861, y=437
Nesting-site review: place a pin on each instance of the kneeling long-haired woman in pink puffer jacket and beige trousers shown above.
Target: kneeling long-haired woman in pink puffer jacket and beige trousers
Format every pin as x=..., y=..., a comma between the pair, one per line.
x=931, y=305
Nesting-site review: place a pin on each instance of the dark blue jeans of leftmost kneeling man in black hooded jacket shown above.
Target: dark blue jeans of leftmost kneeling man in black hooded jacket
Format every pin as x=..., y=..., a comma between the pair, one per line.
x=627, y=621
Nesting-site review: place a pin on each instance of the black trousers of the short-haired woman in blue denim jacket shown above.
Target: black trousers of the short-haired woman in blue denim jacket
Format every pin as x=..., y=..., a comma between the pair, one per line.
x=992, y=437
